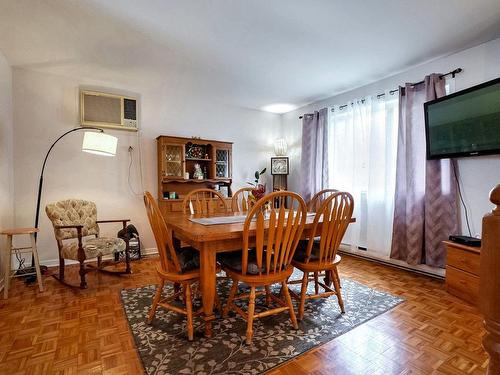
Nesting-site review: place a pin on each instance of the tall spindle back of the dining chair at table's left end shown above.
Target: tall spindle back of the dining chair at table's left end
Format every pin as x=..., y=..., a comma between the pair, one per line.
x=163, y=237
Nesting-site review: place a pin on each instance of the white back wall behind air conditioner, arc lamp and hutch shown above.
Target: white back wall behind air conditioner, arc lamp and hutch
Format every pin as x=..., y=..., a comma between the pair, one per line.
x=46, y=105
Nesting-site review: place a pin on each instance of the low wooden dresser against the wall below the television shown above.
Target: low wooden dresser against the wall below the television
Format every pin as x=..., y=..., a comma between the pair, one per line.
x=462, y=271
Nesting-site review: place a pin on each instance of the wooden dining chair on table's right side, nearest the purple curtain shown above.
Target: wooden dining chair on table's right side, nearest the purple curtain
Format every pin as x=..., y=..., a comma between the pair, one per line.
x=312, y=257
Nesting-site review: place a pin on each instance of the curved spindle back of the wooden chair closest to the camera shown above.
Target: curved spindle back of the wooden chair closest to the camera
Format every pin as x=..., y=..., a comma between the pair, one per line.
x=278, y=231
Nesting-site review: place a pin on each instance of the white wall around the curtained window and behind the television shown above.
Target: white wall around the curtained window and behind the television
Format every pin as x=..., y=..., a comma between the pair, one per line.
x=478, y=174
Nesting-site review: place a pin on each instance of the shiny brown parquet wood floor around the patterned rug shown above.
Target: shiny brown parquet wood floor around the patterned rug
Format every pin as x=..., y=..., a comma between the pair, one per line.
x=65, y=331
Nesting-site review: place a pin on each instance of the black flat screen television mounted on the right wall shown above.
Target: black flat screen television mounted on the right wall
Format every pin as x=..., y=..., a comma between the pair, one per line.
x=465, y=123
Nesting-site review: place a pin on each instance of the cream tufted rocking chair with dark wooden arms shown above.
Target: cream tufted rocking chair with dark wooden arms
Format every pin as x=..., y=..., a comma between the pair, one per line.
x=75, y=219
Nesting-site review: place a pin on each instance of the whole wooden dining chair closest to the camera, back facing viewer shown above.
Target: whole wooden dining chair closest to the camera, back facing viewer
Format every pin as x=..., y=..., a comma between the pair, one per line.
x=277, y=233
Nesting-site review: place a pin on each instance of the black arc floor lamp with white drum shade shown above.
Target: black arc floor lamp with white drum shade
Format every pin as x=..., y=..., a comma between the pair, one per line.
x=95, y=141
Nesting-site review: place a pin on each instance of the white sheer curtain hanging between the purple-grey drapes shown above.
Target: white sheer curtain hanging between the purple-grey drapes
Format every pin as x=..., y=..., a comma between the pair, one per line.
x=362, y=160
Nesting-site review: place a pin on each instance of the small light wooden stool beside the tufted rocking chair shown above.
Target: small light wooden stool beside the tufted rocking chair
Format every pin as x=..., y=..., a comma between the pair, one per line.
x=20, y=250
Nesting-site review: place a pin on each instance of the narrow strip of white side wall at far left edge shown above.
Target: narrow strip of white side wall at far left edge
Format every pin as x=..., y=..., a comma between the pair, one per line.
x=6, y=150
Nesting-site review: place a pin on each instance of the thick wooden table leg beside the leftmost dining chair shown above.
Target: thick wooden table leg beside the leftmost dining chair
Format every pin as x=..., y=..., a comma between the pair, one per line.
x=208, y=286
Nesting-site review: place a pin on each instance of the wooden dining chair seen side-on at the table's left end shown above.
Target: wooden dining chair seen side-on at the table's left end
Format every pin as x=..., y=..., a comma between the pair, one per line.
x=177, y=266
